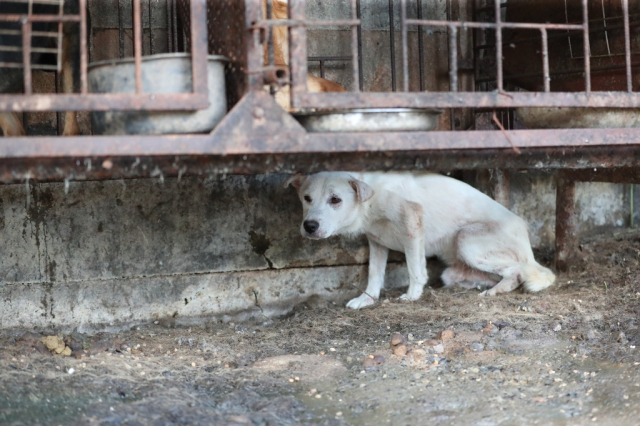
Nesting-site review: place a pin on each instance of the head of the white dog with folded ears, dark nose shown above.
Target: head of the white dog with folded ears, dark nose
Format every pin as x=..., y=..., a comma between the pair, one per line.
x=331, y=202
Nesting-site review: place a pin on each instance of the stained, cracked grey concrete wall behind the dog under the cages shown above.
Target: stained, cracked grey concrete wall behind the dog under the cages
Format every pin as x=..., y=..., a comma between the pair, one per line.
x=115, y=252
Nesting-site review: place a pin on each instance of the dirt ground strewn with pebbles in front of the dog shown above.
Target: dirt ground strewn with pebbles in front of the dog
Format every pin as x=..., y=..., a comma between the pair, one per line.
x=567, y=356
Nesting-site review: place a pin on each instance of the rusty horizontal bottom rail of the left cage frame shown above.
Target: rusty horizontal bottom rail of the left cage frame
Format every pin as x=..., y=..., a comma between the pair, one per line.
x=102, y=102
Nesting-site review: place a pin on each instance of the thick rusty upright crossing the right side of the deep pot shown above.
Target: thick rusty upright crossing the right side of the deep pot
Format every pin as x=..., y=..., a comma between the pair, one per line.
x=199, y=45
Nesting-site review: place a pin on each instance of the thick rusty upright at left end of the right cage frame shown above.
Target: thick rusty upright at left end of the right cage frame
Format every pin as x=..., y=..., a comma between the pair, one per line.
x=298, y=53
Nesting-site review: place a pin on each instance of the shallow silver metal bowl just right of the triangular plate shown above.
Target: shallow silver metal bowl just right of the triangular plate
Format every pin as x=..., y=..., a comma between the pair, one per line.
x=370, y=120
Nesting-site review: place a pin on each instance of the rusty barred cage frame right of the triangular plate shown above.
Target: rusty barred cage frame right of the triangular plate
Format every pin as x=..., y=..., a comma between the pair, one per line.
x=302, y=99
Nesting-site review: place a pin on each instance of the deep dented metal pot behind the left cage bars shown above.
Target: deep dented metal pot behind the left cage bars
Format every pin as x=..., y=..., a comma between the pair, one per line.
x=161, y=74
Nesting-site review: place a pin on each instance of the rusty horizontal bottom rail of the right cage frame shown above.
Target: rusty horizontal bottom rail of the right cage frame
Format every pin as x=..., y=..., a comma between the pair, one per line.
x=470, y=100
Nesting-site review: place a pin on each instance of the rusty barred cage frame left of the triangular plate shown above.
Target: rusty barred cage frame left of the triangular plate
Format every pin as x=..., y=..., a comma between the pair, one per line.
x=198, y=99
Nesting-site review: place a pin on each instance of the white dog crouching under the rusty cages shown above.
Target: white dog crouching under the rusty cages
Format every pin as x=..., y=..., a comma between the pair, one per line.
x=422, y=215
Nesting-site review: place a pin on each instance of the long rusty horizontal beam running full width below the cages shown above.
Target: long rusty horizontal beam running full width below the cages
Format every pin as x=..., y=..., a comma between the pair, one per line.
x=605, y=142
